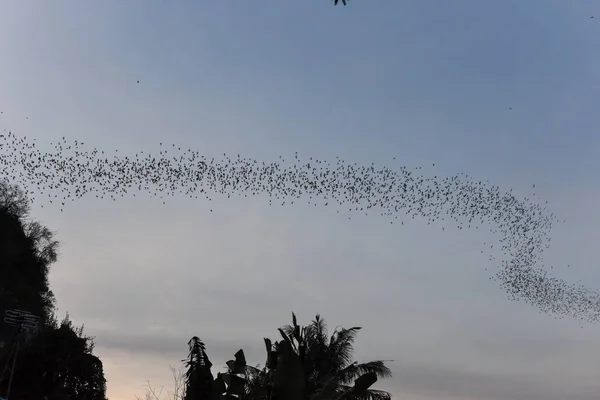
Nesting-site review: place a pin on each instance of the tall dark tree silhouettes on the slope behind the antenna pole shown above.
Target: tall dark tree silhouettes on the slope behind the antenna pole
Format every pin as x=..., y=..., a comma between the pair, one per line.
x=55, y=361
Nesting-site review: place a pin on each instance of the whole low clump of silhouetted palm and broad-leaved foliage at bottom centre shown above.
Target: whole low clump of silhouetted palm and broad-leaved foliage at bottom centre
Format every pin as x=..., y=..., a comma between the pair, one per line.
x=305, y=364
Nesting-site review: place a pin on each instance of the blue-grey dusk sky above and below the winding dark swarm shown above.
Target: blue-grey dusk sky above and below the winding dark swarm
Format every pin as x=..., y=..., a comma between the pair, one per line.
x=503, y=91
